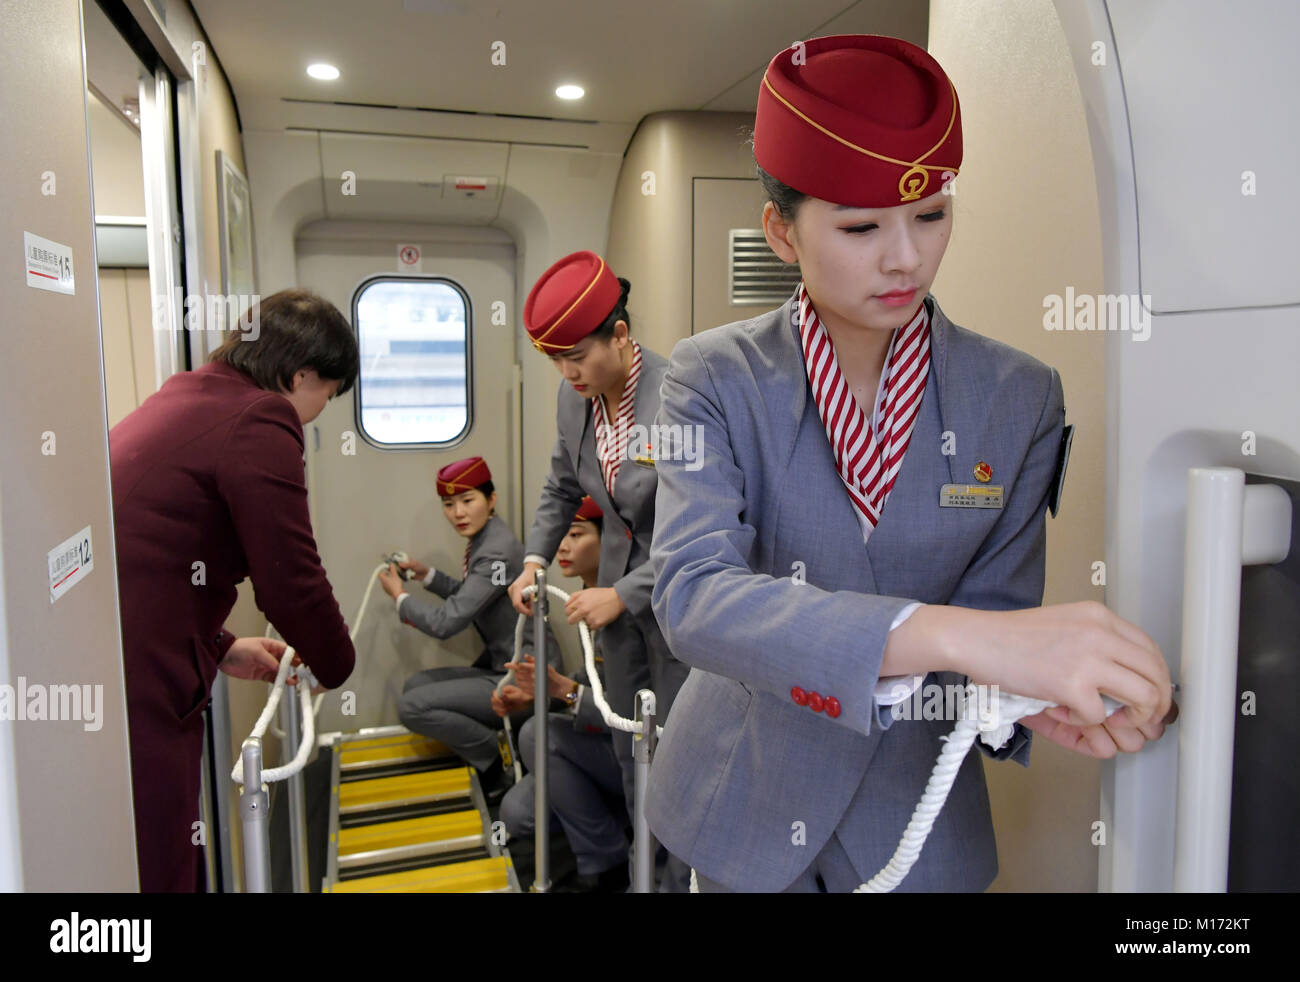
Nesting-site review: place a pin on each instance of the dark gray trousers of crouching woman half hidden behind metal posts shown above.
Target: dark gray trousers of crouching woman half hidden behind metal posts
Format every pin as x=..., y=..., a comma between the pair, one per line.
x=586, y=794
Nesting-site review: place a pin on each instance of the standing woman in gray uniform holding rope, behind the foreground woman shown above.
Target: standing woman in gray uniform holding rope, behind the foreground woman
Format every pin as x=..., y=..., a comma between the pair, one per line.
x=577, y=315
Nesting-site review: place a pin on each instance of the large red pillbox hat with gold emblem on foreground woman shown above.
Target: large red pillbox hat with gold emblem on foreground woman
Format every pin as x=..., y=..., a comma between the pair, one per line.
x=859, y=119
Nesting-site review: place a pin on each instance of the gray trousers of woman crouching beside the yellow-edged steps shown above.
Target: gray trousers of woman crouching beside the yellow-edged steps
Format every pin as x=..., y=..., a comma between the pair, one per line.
x=454, y=706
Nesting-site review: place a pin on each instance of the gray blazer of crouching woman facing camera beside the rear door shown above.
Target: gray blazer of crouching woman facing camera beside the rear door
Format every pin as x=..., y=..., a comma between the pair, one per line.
x=482, y=599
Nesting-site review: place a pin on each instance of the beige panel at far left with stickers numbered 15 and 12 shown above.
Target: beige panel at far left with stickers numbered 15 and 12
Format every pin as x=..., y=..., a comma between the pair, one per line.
x=66, y=784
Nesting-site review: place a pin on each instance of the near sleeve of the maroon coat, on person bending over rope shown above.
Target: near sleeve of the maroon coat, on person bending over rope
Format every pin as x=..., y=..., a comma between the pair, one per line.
x=262, y=477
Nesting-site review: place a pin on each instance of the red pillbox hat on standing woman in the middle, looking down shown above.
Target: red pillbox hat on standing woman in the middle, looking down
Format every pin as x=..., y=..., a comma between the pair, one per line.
x=570, y=301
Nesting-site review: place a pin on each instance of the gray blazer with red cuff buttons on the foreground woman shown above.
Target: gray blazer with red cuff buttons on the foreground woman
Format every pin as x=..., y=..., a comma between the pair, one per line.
x=748, y=786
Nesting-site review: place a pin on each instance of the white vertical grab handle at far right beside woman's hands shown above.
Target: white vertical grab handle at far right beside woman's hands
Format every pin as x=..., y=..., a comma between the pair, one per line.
x=1230, y=525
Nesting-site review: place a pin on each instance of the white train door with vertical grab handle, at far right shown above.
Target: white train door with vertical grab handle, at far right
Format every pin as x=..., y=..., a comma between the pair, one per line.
x=1194, y=176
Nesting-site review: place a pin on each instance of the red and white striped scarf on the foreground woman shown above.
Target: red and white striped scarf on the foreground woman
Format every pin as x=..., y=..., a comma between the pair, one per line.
x=869, y=462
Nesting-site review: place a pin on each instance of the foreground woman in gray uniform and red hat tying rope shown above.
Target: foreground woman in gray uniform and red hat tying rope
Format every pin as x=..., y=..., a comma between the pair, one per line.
x=869, y=513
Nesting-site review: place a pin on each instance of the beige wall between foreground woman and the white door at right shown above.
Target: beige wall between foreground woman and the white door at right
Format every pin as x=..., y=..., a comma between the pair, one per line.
x=1026, y=226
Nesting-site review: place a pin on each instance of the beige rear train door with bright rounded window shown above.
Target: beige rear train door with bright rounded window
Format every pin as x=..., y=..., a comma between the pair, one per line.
x=439, y=383
